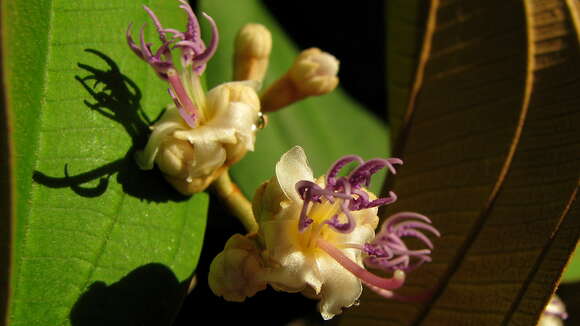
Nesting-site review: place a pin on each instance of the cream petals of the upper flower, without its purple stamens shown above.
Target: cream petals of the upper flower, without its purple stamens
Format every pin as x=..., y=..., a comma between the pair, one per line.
x=191, y=158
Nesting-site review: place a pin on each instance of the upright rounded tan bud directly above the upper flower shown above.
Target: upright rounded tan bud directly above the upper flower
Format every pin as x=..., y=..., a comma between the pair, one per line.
x=252, y=52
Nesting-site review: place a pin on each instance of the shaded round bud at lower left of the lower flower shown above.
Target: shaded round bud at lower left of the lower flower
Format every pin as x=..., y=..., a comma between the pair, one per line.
x=237, y=272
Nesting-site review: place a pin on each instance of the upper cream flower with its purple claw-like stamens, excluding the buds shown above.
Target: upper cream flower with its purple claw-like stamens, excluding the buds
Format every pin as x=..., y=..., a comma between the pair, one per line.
x=201, y=134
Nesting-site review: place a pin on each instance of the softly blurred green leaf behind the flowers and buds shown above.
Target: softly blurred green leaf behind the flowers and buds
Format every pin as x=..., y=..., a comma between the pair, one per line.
x=326, y=127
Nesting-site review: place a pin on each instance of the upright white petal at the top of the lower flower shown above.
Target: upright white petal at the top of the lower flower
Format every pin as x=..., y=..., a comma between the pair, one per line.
x=293, y=167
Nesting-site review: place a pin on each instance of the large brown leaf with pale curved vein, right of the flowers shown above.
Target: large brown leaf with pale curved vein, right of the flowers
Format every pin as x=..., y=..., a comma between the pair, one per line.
x=491, y=145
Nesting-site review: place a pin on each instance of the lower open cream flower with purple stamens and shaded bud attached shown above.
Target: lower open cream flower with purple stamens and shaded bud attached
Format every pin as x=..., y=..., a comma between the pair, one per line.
x=317, y=235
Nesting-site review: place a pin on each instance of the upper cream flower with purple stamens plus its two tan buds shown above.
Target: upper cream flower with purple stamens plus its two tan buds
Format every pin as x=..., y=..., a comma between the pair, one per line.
x=201, y=134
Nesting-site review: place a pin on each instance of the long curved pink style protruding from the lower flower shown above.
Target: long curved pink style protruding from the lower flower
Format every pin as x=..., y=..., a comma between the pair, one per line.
x=365, y=276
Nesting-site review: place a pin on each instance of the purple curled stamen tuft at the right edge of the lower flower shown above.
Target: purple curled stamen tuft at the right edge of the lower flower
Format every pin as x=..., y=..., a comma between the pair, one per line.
x=388, y=251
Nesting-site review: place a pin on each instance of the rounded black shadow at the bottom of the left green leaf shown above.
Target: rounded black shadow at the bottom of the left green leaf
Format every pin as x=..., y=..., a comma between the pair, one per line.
x=149, y=295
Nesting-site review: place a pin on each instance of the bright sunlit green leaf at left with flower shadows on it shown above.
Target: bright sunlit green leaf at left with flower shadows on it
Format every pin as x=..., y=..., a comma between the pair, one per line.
x=95, y=241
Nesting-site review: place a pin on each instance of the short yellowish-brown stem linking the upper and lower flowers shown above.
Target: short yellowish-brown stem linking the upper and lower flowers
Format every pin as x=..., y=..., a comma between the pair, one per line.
x=237, y=203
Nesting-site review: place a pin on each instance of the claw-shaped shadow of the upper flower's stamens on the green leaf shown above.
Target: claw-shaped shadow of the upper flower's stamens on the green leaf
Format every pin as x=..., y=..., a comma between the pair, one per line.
x=117, y=97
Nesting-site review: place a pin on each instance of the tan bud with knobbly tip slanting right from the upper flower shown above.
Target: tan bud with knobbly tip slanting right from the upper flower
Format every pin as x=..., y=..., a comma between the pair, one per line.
x=313, y=73
